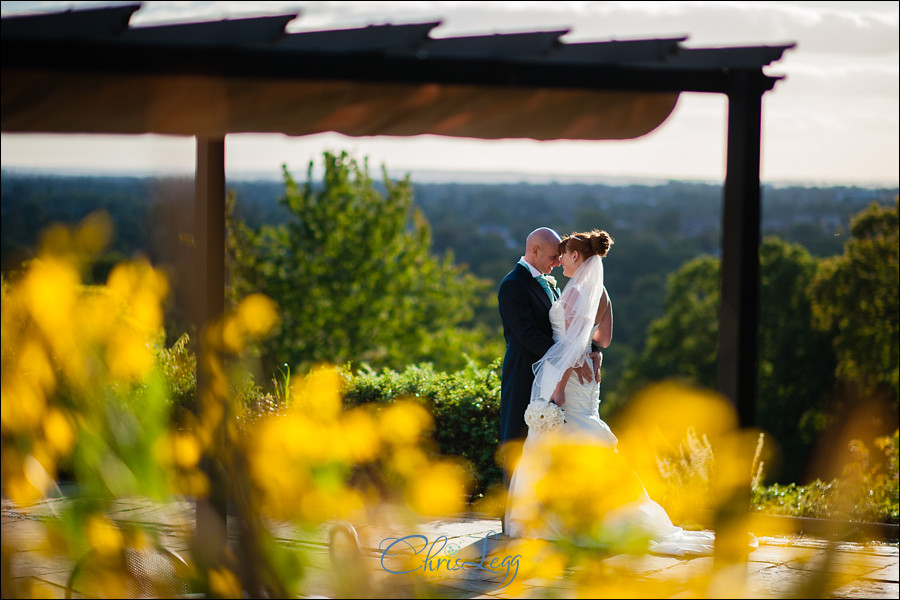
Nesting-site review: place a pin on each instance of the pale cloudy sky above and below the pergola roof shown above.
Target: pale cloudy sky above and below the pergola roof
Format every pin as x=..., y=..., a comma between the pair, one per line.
x=833, y=120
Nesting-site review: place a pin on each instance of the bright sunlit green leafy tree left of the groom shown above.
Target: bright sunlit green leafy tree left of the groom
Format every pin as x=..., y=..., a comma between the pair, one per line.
x=354, y=277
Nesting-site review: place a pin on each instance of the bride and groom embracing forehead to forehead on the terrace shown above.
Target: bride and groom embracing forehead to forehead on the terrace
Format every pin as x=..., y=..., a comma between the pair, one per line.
x=553, y=340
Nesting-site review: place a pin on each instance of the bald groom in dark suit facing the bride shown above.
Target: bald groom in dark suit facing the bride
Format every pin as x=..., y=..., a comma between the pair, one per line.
x=525, y=297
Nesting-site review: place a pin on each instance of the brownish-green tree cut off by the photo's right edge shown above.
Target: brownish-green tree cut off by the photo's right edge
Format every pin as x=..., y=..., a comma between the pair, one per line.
x=855, y=298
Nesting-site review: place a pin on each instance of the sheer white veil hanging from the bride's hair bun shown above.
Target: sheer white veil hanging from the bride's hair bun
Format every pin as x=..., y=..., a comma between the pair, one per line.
x=579, y=303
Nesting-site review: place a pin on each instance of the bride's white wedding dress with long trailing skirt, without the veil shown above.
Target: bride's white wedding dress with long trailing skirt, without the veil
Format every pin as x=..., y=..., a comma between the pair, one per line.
x=639, y=519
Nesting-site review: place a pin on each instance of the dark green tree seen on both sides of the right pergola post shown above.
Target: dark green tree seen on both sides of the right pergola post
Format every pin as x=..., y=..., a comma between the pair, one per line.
x=795, y=361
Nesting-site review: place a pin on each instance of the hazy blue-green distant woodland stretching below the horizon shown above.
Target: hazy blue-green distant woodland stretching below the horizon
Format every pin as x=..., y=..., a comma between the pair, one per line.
x=656, y=229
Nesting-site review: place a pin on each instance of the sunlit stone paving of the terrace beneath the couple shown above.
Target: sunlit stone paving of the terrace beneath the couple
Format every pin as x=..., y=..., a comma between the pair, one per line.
x=782, y=566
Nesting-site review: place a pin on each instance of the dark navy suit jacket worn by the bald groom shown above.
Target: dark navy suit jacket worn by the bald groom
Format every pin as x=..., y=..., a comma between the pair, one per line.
x=524, y=310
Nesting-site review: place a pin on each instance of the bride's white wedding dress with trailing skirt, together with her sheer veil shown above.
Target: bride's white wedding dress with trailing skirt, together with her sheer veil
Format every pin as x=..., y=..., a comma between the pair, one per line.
x=640, y=518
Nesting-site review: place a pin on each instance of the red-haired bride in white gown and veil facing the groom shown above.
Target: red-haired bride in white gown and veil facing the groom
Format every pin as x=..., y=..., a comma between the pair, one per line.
x=617, y=508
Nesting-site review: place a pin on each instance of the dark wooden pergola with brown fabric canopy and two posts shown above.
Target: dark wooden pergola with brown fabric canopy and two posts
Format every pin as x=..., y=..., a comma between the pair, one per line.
x=90, y=72
